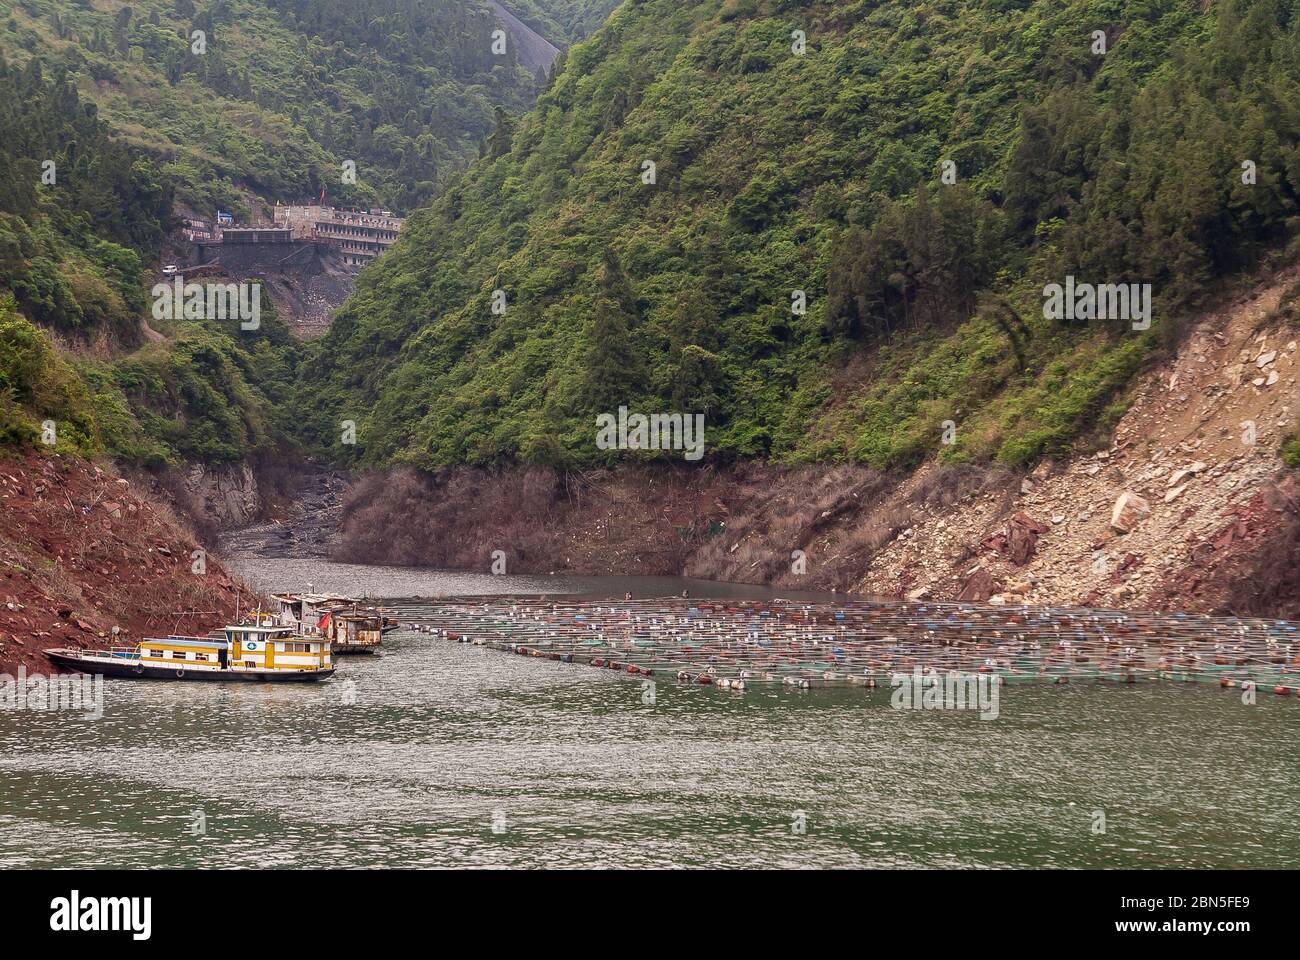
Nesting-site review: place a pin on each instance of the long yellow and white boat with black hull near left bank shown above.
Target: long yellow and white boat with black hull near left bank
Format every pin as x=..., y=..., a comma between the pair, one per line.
x=240, y=652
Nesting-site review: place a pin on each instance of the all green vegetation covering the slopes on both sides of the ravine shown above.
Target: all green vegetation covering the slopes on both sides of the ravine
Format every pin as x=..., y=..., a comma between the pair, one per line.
x=912, y=172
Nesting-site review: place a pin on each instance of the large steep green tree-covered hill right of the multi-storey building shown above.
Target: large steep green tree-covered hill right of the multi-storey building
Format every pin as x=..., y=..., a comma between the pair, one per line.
x=1097, y=139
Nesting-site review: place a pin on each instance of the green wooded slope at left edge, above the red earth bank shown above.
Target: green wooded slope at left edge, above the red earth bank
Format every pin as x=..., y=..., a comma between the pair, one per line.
x=81, y=214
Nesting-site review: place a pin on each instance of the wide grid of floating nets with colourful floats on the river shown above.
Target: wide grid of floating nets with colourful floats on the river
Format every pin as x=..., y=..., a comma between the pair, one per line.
x=738, y=645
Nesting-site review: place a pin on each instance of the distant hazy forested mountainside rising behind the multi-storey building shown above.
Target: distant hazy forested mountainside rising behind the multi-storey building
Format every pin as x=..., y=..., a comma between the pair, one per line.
x=271, y=97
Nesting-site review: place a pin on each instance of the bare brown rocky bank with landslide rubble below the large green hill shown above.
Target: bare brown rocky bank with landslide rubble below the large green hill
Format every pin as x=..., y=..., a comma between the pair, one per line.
x=1217, y=526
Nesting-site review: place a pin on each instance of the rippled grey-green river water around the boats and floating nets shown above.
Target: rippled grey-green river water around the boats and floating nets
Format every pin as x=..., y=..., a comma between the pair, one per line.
x=448, y=755
